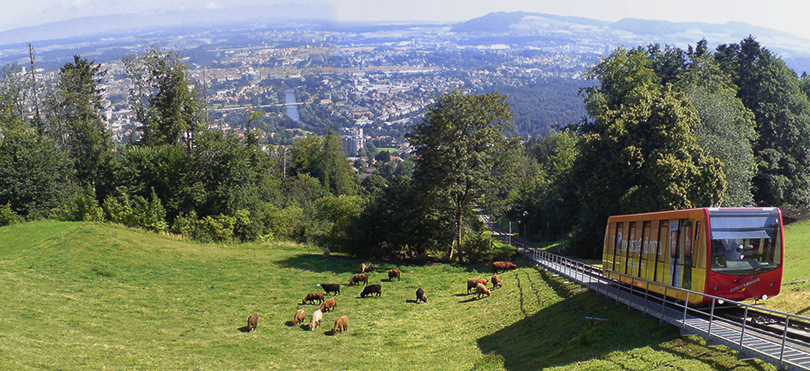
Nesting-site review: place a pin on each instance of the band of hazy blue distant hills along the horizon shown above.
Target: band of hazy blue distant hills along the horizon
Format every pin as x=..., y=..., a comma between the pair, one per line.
x=515, y=28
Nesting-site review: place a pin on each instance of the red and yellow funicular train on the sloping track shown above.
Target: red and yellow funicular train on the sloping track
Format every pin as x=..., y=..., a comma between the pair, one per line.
x=734, y=253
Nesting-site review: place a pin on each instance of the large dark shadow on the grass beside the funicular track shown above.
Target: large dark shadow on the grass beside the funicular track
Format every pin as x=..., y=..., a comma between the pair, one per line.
x=560, y=334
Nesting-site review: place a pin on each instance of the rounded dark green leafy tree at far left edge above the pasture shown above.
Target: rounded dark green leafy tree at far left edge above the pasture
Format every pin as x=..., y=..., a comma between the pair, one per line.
x=35, y=176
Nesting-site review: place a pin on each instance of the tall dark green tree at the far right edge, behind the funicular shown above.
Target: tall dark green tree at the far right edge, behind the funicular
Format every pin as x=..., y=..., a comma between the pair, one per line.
x=781, y=110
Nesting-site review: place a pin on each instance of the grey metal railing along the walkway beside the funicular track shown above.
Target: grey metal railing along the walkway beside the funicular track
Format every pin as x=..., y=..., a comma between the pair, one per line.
x=749, y=341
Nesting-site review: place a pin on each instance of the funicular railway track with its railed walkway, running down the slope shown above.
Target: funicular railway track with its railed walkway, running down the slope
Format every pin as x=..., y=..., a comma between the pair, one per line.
x=781, y=339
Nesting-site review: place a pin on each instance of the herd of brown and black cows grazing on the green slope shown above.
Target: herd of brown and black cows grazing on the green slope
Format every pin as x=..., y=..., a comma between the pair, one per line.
x=370, y=290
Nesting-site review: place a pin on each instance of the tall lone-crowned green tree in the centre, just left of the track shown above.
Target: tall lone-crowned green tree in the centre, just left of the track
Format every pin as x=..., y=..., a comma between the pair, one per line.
x=457, y=147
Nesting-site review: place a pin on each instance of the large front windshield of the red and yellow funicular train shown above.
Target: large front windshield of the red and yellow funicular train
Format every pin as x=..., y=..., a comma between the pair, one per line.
x=745, y=241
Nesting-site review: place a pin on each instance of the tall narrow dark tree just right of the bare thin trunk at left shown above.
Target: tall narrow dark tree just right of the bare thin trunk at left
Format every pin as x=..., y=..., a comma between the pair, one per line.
x=83, y=134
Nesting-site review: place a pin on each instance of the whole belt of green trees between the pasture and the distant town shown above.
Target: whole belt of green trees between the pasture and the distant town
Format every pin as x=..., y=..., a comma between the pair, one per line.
x=663, y=128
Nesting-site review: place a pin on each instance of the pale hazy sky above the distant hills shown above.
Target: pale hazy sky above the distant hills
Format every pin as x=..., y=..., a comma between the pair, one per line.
x=789, y=15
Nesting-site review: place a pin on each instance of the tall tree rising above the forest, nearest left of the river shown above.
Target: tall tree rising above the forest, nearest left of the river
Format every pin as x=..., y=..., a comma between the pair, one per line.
x=166, y=103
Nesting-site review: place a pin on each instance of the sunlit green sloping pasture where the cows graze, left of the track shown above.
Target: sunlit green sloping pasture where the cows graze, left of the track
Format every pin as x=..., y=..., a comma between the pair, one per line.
x=97, y=296
